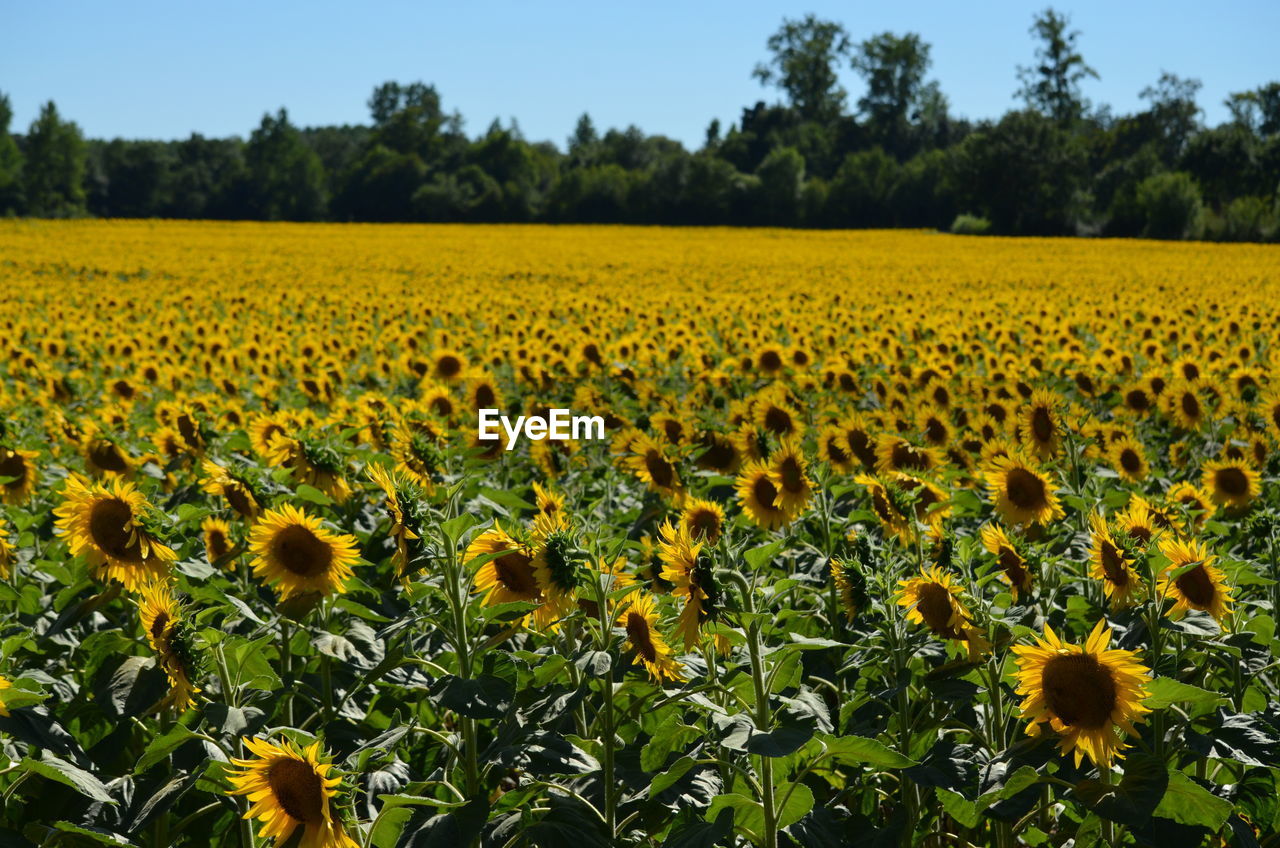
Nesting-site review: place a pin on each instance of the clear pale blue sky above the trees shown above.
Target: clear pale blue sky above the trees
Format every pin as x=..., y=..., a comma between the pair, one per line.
x=149, y=70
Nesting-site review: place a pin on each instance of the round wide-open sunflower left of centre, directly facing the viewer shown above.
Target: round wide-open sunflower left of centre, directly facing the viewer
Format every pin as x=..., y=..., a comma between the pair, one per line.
x=294, y=551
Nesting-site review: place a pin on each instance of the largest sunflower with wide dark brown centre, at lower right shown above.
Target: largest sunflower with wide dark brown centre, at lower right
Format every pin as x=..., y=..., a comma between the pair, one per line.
x=1085, y=694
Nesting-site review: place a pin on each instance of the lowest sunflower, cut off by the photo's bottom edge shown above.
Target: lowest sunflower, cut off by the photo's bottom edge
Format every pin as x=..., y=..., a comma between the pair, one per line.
x=289, y=790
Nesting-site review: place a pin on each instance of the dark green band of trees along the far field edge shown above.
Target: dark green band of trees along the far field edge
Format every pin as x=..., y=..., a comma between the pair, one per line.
x=894, y=158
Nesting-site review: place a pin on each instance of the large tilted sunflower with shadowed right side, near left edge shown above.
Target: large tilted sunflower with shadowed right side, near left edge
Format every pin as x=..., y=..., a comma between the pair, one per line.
x=111, y=526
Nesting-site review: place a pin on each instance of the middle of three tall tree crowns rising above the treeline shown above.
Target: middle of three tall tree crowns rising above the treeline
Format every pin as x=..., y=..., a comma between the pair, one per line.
x=894, y=69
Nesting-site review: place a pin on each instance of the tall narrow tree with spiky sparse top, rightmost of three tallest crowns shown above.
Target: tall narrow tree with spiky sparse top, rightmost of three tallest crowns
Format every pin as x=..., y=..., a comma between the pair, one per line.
x=1053, y=86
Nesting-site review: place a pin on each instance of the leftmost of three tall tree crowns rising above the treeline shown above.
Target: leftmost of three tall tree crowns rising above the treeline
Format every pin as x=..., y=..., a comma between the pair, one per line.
x=806, y=57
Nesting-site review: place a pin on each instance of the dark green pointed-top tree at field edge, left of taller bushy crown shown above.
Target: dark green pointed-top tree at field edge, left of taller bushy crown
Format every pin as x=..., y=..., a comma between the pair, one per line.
x=287, y=180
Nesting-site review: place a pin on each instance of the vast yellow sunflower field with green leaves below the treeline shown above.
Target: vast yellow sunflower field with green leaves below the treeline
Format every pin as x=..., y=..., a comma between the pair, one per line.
x=893, y=539
